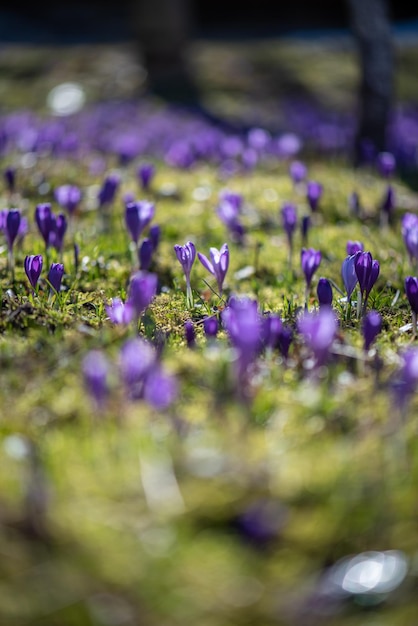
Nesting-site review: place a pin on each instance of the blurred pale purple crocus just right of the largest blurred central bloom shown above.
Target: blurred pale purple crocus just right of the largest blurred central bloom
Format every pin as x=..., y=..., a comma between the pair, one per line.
x=318, y=330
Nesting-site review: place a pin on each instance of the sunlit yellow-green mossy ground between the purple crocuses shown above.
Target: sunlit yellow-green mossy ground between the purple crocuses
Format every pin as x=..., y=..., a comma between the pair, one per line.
x=88, y=535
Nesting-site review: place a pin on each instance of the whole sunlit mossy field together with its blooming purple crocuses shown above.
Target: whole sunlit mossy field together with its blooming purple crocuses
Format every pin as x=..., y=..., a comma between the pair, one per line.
x=208, y=365
